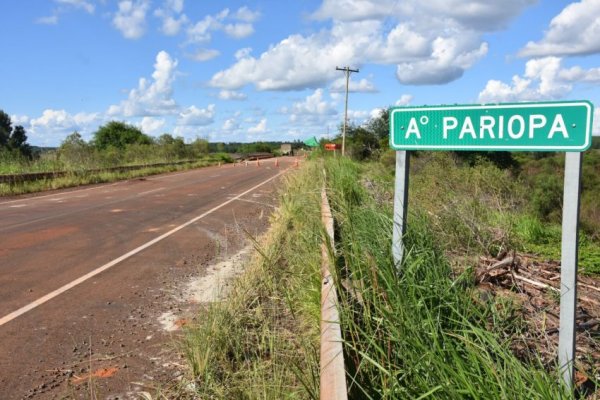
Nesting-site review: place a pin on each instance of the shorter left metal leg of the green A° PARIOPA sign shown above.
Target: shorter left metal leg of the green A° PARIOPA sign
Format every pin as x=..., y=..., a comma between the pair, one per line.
x=400, y=205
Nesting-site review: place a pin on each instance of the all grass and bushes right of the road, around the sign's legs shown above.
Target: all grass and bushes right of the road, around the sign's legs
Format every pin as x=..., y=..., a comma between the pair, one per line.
x=429, y=328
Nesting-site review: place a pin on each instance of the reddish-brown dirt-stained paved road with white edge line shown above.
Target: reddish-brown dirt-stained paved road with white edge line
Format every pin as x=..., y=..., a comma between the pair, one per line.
x=86, y=275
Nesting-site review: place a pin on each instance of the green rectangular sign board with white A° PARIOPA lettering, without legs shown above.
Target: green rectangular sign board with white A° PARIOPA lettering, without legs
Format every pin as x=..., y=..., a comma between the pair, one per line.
x=548, y=126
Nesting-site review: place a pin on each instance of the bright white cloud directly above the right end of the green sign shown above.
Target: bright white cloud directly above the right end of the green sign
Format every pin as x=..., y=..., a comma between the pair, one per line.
x=544, y=79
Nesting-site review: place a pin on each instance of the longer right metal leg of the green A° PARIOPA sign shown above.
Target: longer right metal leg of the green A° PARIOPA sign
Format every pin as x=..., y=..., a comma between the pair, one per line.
x=568, y=269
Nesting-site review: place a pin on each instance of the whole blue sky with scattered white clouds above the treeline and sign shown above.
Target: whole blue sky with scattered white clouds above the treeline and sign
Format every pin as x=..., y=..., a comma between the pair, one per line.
x=265, y=70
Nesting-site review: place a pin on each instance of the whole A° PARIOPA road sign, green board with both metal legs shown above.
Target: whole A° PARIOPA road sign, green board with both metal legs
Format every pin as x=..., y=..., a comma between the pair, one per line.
x=547, y=126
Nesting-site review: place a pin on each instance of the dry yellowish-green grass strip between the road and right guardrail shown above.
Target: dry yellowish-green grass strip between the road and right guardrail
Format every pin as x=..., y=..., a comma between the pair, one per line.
x=262, y=343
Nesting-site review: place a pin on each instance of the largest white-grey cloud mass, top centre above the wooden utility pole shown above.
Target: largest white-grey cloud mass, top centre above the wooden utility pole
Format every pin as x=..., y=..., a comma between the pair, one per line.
x=430, y=42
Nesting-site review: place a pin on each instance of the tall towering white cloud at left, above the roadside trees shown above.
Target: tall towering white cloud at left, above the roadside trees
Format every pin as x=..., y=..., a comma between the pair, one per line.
x=155, y=98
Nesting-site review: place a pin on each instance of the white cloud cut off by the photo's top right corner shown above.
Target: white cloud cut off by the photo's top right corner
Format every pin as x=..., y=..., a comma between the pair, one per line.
x=574, y=31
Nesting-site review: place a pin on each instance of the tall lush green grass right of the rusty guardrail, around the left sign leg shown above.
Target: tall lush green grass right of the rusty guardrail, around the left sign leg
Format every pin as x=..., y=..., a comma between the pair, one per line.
x=419, y=331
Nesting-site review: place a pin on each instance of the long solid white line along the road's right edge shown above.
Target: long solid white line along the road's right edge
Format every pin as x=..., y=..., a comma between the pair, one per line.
x=61, y=290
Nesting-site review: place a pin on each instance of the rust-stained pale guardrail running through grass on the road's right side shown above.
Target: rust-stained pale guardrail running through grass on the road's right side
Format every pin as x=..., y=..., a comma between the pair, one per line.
x=333, y=373
